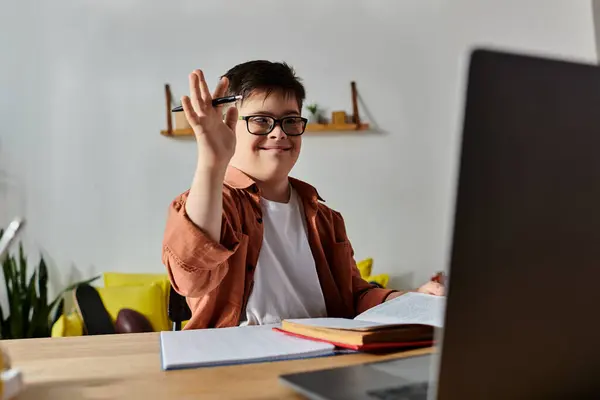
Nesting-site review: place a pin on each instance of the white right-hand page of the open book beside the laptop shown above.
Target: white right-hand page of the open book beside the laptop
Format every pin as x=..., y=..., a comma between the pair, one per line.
x=410, y=308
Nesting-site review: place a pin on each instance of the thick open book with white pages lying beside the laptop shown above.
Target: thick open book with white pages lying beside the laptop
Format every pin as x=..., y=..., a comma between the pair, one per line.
x=408, y=320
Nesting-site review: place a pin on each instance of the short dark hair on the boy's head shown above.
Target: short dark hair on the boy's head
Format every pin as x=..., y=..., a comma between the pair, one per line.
x=265, y=76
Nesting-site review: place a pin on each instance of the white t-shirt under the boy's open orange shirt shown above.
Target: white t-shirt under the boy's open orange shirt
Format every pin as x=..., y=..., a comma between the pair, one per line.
x=286, y=284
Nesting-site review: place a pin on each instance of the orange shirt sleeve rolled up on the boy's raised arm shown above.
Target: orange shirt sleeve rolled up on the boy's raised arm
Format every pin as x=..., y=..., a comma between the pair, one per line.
x=197, y=264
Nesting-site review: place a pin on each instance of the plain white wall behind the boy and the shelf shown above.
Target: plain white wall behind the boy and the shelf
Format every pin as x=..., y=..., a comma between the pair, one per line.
x=82, y=105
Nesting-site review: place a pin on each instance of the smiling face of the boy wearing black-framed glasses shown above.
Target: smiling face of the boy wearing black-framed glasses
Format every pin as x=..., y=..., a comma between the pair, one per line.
x=272, y=156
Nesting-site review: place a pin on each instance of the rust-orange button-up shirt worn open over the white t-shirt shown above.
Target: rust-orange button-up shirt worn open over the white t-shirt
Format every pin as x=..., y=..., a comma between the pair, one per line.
x=217, y=278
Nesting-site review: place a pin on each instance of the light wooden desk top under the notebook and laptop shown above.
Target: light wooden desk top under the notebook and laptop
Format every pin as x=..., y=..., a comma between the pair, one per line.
x=128, y=367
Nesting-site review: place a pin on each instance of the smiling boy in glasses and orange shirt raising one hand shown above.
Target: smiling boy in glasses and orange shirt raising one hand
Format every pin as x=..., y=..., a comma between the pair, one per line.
x=247, y=244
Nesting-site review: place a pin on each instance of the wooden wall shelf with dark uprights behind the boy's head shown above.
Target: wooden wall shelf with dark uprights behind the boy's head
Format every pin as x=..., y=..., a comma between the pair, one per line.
x=355, y=125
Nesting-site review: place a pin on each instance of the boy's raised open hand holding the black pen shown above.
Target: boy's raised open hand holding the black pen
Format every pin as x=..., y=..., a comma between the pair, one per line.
x=215, y=137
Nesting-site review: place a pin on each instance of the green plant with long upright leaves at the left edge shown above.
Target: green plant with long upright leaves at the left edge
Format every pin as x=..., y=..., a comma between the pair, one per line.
x=28, y=308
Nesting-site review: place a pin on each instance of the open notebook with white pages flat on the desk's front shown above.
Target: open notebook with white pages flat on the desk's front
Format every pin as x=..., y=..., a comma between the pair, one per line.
x=230, y=346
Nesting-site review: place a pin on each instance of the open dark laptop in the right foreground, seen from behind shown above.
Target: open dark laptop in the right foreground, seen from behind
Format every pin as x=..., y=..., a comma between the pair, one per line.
x=523, y=301
